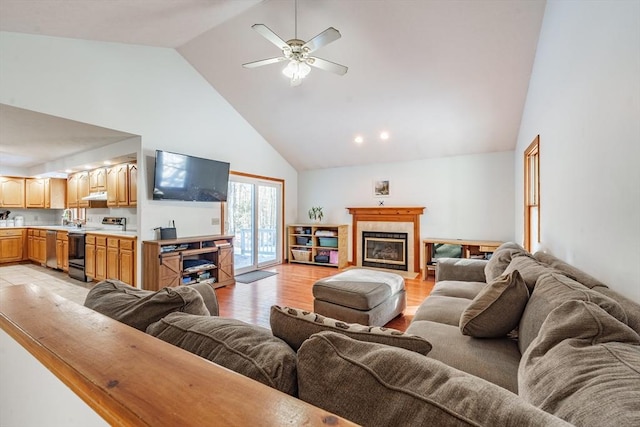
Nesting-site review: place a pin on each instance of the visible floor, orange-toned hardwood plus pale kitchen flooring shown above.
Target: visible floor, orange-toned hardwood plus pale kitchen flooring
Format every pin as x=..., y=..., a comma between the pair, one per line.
x=249, y=302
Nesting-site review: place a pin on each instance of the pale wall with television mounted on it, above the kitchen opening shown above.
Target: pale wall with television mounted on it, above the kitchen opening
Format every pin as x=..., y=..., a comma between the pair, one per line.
x=146, y=91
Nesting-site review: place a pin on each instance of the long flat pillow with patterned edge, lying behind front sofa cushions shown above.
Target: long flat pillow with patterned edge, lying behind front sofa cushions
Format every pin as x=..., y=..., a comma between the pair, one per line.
x=294, y=326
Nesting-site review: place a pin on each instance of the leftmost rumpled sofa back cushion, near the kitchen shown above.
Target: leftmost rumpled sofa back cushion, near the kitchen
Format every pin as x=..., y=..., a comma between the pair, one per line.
x=139, y=308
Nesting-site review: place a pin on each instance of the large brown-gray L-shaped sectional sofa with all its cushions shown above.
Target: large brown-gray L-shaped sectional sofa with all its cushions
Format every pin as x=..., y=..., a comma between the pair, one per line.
x=523, y=339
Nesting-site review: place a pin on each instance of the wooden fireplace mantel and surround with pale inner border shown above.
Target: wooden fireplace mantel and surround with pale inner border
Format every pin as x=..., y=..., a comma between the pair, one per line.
x=388, y=219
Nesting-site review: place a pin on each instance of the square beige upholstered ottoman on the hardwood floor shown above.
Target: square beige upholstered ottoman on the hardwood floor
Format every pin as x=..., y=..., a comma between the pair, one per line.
x=359, y=295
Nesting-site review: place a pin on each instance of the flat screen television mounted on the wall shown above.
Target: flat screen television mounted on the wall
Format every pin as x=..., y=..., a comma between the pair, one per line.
x=189, y=178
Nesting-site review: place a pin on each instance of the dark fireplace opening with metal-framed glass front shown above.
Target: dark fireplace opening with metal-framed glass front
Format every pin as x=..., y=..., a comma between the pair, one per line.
x=384, y=250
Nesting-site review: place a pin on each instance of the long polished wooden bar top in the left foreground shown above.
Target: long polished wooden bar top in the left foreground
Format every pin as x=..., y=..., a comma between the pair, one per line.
x=131, y=378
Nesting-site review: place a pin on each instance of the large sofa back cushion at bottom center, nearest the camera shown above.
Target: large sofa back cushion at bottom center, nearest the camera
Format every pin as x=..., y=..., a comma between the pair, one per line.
x=377, y=385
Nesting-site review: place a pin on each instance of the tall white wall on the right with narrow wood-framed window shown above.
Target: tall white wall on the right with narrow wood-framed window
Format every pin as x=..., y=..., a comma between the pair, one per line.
x=584, y=101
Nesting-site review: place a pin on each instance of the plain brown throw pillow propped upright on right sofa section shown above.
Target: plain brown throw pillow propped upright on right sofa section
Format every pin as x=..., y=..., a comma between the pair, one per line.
x=497, y=309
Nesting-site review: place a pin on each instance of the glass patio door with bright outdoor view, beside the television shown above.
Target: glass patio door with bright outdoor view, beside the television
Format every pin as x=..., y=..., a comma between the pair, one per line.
x=254, y=217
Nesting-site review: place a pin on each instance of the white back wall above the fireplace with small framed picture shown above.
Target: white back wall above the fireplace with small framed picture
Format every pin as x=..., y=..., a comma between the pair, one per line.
x=466, y=197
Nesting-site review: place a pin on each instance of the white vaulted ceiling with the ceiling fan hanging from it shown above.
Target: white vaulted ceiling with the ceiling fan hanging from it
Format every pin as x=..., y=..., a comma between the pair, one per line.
x=442, y=78
